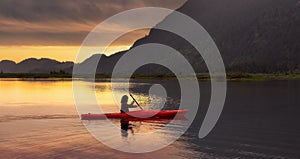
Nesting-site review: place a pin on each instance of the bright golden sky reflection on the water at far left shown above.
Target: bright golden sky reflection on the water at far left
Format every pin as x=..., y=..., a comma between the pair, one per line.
x=32, y=93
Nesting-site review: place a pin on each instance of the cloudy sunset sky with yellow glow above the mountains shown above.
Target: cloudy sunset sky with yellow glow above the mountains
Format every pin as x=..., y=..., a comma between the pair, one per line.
x=55, y=28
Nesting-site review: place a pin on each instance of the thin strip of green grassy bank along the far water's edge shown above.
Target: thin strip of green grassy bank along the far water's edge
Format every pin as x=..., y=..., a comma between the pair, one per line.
x=230, y=76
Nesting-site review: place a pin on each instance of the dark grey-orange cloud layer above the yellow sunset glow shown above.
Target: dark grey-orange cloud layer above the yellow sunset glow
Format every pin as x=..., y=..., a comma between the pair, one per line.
x=61, y=22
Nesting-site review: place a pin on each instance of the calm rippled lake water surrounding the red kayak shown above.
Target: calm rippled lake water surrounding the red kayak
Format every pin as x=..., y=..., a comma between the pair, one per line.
x=38, y=119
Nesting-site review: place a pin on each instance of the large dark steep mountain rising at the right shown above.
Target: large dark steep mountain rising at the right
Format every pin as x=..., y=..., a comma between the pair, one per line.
x=254, y=36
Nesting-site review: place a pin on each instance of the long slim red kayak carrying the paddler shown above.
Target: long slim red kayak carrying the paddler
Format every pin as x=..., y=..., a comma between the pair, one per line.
x=142, y=114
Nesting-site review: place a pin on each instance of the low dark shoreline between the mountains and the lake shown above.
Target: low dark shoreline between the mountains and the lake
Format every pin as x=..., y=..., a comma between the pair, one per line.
x=203, y=76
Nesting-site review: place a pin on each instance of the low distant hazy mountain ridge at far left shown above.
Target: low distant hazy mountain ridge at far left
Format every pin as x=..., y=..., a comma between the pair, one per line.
x=33, y=65
